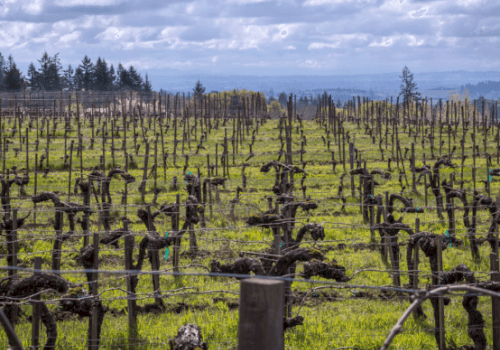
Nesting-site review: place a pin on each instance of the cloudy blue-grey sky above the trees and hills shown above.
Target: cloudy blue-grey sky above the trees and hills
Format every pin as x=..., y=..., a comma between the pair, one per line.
x=282, y=37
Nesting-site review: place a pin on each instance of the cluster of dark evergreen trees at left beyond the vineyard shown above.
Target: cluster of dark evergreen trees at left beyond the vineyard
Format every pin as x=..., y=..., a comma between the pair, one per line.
x=51, y=76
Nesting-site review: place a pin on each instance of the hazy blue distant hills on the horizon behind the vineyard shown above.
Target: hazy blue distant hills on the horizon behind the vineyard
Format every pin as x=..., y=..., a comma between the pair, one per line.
x=436, y=84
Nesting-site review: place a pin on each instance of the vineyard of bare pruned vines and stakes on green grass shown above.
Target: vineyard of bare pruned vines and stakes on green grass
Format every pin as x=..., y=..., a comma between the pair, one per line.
x=129, y=221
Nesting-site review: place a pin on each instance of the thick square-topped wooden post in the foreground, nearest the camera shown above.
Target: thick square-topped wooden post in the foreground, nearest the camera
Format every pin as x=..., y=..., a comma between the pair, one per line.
x=261, y=315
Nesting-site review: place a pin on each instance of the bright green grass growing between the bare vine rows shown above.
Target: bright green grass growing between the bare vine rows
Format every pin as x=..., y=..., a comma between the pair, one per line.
x=334, y=317
